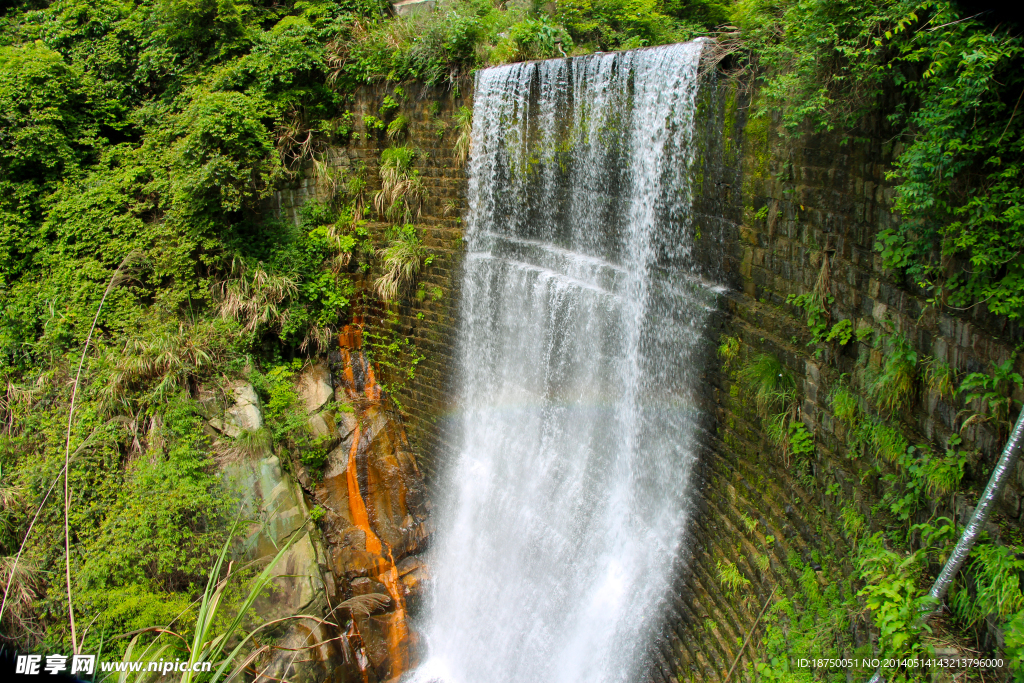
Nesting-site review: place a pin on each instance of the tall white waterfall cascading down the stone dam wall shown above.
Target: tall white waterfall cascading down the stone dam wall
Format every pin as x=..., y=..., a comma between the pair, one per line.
x=582, y=312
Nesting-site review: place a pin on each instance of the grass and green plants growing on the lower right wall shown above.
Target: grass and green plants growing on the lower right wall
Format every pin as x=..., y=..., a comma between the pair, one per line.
x=898, y=548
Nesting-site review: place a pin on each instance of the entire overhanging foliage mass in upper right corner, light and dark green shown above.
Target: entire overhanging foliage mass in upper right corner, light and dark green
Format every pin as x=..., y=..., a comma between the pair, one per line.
x=959, y=176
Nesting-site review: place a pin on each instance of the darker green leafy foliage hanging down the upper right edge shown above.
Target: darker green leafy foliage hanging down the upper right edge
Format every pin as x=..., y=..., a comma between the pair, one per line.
x=968, y=204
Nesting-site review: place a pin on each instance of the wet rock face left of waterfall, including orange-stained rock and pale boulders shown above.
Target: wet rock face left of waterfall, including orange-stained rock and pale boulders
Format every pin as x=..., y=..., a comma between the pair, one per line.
x=360, y=567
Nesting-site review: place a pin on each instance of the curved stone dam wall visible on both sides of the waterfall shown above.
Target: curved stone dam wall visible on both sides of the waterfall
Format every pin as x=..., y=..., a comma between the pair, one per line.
x=774, y=211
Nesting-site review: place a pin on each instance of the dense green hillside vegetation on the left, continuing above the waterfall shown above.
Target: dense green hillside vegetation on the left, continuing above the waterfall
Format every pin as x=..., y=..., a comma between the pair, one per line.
x=139, y=143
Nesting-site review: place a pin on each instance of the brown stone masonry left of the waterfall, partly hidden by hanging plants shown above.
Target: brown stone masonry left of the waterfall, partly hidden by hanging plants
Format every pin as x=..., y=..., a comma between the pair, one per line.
x=429, y=323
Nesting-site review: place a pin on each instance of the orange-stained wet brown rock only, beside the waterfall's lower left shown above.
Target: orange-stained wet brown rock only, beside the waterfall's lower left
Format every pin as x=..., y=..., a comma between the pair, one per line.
x=375, y=523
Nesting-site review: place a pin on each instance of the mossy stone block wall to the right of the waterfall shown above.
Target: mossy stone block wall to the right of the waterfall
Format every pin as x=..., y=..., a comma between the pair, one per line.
x=825, y=199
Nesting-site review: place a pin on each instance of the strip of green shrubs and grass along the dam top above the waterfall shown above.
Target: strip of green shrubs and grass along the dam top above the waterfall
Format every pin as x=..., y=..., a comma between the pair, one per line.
x=461, y=35
